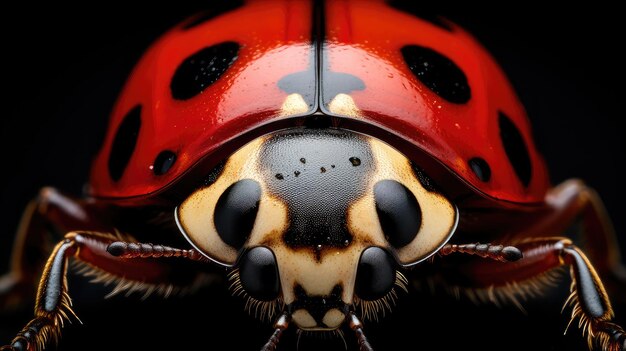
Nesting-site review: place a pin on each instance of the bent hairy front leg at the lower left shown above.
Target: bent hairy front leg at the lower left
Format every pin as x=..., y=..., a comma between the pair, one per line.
x=53, y=305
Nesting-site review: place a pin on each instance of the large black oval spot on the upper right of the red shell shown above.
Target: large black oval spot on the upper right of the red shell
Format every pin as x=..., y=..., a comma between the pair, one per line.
x=438, y=73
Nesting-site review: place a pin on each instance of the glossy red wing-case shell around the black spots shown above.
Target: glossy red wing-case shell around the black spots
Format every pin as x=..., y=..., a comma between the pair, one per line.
x=363, y=38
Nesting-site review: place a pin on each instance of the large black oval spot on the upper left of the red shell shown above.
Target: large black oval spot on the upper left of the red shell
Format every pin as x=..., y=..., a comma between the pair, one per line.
x=202, y=69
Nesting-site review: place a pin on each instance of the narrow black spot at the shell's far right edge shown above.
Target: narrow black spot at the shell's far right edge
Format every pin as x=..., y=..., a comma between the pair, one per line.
x=515, y=148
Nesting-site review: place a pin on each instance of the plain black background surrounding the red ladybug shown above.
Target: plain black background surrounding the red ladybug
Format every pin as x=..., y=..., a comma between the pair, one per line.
x=63, y=66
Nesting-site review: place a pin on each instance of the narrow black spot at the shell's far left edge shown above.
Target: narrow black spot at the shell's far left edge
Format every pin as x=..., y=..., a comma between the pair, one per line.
x=124, y=143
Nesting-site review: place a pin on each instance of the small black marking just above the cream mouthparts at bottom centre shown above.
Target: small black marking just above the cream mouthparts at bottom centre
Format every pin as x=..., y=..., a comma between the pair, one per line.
x=317, y=306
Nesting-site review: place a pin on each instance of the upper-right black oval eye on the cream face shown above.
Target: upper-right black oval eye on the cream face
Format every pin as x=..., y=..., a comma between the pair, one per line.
x=398, y=211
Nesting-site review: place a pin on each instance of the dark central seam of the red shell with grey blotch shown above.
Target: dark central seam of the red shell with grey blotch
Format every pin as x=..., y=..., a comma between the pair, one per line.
x=318, y=84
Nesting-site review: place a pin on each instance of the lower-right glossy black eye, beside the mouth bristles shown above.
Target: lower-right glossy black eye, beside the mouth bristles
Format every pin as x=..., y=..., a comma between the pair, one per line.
x=376, y=274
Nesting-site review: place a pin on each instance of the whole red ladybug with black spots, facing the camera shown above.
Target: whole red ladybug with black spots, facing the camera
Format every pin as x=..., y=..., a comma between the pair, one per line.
x=325, y=164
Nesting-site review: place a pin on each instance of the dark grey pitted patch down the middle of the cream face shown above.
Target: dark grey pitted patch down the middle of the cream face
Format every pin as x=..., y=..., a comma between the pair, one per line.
x=317, y=202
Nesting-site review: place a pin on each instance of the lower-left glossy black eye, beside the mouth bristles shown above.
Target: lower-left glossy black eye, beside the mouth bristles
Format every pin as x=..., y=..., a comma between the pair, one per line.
x=258, y=272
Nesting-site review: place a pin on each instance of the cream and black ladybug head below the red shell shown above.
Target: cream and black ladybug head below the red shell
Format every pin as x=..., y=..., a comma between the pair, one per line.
x=316, y=223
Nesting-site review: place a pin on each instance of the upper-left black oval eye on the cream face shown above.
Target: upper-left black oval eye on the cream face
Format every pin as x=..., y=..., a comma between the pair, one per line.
x=235, y=212
